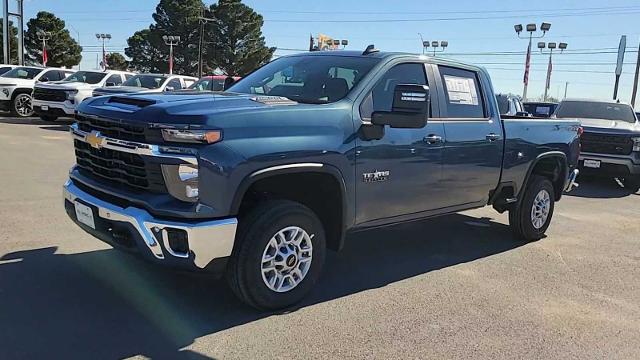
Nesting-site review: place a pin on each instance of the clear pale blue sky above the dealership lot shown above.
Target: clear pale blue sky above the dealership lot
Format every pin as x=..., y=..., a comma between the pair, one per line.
x=478, y=32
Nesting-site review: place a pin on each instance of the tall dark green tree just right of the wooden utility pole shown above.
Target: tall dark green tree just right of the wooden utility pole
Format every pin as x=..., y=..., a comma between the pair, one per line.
x=237, y=45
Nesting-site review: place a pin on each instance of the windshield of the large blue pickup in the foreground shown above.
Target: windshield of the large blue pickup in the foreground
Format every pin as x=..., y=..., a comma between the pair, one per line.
x=307, y=79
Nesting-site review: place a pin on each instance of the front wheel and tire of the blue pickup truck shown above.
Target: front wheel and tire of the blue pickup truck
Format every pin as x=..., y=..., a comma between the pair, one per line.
x=255, y=240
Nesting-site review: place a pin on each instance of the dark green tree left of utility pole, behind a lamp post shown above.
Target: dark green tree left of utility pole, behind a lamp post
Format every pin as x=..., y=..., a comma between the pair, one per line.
x=147, y=49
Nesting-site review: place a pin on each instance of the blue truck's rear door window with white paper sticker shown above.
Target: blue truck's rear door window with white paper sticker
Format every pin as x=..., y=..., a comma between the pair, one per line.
x=462, y=93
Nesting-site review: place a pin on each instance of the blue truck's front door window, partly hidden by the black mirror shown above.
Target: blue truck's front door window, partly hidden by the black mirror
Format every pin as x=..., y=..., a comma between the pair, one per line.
x=381, y=96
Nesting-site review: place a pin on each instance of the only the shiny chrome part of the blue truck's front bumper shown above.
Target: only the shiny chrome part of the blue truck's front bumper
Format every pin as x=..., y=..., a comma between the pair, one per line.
x=206, y=240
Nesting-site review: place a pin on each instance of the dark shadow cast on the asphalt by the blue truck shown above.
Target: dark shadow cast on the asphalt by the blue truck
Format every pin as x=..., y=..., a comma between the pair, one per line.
x=106, y=304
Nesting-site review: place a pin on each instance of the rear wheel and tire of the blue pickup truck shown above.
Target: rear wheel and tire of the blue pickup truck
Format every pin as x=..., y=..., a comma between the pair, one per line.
x=521, y=218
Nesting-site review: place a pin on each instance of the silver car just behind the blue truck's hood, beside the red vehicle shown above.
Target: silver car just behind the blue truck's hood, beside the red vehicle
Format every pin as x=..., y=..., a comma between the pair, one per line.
x=148, y=83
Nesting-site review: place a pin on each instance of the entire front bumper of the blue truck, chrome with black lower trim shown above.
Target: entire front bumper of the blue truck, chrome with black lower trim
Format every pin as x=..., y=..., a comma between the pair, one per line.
x=136, y=230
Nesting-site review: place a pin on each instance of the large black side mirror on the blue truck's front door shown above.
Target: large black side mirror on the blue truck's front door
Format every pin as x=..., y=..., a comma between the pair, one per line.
x=410, y=109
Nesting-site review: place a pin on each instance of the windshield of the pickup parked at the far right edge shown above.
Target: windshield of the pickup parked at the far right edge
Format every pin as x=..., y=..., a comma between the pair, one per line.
x=596, y=110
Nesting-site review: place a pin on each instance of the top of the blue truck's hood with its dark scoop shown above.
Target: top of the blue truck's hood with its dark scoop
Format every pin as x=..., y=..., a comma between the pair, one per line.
x=182, y=107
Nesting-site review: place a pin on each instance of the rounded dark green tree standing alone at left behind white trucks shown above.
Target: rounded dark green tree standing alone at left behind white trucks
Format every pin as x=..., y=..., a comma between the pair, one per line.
x=62, y=49
